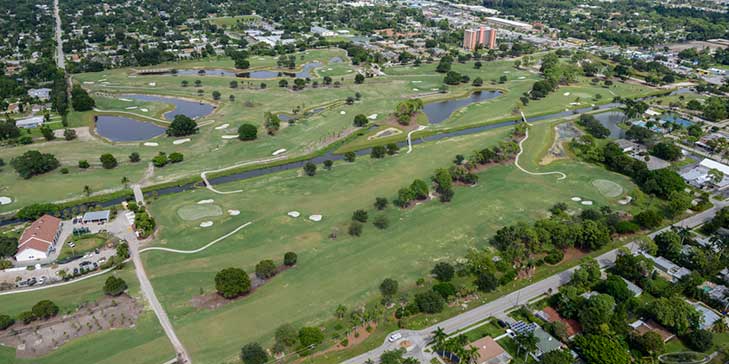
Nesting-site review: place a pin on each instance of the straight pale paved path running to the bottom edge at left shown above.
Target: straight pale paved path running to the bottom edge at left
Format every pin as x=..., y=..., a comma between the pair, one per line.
x=129, y=235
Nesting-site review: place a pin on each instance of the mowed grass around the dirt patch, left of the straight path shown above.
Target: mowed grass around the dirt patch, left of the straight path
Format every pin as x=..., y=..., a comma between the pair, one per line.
x=144, y=343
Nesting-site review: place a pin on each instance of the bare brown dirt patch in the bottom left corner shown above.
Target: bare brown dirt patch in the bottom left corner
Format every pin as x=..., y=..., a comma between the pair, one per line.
x=42, y=337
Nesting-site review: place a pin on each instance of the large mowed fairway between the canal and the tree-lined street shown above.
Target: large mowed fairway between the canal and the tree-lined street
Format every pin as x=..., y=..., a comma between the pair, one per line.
x=344, y=270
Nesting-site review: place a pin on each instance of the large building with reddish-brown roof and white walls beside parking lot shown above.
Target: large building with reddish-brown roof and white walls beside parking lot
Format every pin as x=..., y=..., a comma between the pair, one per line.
x=39, y=239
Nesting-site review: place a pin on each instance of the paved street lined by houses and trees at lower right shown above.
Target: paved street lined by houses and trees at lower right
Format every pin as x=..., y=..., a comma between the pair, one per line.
x=498, y=307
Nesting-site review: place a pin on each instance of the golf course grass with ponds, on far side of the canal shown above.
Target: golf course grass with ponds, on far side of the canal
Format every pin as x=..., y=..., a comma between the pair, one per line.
x=208, y=150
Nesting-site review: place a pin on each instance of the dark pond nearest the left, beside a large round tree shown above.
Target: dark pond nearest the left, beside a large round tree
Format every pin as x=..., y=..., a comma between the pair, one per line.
x=122, y=129
